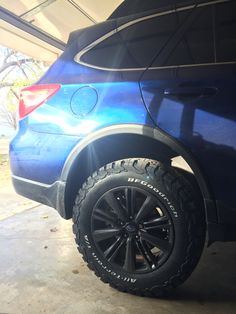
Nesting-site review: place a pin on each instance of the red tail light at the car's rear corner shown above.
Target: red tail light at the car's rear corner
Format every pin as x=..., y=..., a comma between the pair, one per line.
x=34, y=96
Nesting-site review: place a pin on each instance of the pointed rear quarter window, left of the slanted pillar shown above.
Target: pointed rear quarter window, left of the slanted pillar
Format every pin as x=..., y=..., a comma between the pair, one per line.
x=135, y=46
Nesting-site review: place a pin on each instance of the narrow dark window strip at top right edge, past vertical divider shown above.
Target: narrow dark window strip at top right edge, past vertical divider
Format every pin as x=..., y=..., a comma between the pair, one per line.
x=226, y=31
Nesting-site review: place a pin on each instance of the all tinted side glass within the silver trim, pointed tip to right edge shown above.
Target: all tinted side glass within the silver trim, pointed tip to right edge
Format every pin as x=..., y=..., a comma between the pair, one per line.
x=210, y=38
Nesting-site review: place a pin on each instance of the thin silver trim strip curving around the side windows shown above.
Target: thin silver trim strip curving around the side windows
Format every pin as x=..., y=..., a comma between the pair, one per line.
x=80, y=54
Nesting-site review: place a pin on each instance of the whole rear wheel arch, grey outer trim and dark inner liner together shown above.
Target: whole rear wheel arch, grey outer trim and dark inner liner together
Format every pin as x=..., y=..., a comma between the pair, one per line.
x=126, y=141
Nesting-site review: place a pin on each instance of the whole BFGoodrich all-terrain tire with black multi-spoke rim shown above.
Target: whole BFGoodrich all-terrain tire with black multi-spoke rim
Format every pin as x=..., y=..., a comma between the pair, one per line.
x=140, y=225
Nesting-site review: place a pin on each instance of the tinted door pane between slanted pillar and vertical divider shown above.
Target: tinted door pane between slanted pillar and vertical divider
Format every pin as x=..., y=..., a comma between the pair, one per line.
x=197, y=45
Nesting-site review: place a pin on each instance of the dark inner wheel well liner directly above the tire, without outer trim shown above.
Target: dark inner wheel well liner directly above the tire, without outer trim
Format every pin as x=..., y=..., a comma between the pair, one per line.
x=108, y=149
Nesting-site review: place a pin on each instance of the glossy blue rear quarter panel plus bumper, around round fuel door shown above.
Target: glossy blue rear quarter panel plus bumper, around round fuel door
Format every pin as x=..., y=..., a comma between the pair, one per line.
x=47, y=136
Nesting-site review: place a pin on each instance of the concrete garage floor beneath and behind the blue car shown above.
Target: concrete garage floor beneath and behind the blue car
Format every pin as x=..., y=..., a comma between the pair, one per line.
x=42, y=272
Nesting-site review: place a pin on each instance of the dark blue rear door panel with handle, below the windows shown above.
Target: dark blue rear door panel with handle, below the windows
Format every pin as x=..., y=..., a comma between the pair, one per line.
x=204, y=124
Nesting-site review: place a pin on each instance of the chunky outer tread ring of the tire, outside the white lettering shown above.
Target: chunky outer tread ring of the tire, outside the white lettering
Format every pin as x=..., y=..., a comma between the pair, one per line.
x=183, y=190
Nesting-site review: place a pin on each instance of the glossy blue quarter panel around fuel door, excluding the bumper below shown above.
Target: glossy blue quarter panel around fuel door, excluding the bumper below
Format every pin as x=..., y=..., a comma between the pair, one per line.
x=117, y=103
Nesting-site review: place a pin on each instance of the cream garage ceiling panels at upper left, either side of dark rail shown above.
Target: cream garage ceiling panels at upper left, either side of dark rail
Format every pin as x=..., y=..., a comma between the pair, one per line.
x=56, y=17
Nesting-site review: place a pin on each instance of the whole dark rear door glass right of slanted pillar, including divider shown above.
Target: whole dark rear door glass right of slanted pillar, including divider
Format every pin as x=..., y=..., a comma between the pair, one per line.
x=210, y=39
